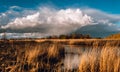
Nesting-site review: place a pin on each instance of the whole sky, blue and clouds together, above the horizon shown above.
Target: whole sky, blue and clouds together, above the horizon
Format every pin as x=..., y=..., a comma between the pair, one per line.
x=39, y=18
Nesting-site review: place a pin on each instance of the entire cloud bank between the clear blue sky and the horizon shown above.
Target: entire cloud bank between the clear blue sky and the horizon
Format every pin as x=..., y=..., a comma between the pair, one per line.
x=21, y=22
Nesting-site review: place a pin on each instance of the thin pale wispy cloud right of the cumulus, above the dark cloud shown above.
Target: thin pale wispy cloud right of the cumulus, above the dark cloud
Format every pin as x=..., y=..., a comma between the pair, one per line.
x=99, y=17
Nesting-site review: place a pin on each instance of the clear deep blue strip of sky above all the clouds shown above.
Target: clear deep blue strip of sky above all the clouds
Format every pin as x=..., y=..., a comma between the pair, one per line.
x=110, y=6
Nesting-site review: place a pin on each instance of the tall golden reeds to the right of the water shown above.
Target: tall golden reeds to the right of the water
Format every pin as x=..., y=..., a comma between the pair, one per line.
x=105, y=60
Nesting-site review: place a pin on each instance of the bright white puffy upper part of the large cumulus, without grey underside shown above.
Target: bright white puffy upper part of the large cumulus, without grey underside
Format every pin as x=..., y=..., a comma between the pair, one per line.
x=50, y=16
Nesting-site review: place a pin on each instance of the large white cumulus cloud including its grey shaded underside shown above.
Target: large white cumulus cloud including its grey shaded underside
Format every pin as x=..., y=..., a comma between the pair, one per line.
x=49, y=20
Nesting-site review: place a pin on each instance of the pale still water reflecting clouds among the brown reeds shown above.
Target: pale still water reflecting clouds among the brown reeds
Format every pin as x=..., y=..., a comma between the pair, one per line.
x=72, y=56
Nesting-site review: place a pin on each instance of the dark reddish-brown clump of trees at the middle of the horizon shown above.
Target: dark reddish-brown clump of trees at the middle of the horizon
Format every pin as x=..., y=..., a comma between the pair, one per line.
x=70, y=36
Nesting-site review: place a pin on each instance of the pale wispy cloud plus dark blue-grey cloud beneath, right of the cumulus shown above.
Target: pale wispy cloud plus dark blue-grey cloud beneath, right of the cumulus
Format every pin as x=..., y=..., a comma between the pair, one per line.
x=104, y=23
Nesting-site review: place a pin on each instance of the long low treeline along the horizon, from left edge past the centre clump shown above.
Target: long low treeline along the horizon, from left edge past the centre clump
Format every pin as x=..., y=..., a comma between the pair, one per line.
x=68, y=36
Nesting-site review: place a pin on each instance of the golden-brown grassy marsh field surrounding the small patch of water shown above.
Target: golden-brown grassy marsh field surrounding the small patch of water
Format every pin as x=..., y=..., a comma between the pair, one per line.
x=48, y=55
